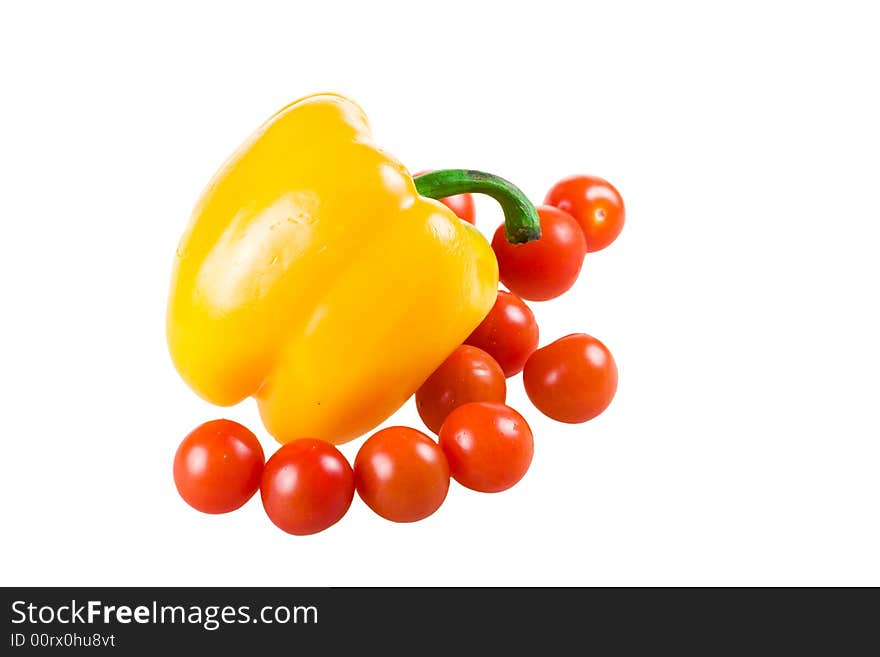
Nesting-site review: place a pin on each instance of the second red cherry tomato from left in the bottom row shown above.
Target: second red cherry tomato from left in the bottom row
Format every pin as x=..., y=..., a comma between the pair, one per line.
x=307, y=486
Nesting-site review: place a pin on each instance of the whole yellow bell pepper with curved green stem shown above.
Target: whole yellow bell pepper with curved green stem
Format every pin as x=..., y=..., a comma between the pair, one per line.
x=315, y=278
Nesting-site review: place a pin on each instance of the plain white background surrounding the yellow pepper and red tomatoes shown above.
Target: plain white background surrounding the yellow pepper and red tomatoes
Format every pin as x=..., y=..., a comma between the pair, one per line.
x=740, y=301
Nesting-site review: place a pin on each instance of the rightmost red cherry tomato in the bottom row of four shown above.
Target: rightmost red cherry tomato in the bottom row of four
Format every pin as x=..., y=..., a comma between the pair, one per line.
x=489, y=446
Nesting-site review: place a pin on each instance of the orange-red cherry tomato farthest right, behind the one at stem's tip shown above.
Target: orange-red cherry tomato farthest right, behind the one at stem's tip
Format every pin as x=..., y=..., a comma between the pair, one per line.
x=595, y=205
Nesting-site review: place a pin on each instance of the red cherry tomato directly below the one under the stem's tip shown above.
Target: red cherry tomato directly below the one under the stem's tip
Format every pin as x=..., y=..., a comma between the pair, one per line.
x=509, y=333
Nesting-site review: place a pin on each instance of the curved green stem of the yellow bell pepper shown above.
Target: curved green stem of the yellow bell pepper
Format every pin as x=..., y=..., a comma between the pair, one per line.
x=521, y=222
